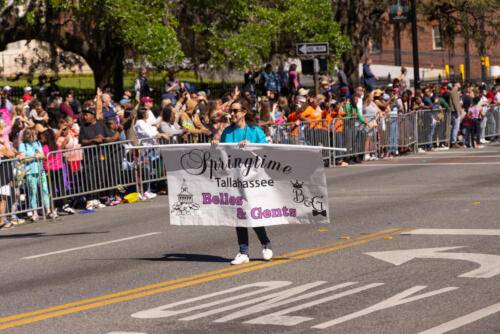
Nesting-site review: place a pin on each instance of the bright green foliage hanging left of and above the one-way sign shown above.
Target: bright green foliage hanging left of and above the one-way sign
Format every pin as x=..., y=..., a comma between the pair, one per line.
x=258, y=31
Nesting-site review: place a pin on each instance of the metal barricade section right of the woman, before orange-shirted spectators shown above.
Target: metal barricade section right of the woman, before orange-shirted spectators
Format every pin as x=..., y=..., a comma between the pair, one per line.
x=313, y=133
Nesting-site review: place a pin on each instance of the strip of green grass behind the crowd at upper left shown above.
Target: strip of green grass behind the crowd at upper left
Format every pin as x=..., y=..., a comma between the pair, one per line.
x=86, y=81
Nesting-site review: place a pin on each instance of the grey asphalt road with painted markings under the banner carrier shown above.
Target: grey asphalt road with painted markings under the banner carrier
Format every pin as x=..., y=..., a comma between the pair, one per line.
x=413, y=246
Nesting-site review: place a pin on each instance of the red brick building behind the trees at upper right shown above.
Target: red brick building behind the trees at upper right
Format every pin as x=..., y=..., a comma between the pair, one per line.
x=433, y=54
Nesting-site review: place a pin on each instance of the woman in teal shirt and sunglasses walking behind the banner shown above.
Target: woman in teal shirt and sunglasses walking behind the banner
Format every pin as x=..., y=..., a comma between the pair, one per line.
x=243, y=131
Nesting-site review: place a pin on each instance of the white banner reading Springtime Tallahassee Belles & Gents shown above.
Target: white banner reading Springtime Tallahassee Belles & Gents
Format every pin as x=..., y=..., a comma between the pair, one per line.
x=259, y=185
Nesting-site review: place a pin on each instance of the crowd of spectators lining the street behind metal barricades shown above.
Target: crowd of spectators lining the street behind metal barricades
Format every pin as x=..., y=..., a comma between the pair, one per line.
x=47, y=121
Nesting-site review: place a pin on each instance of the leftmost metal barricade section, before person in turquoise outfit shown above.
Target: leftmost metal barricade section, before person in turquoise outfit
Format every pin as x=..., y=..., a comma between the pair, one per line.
x=22, y=192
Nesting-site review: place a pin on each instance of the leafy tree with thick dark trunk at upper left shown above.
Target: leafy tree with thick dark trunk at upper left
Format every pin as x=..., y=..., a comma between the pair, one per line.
x=102, y=32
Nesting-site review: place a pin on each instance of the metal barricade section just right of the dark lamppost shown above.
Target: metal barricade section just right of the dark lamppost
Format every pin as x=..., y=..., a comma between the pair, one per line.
x=433, y=127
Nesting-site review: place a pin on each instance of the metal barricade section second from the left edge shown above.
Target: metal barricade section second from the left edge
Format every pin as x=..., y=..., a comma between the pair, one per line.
x=91, y=169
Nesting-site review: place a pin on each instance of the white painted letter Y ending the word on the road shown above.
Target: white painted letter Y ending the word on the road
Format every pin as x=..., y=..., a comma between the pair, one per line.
x=399, y=299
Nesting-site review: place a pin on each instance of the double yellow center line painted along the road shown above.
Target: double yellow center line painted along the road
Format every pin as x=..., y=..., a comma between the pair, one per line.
x=183, y=282
